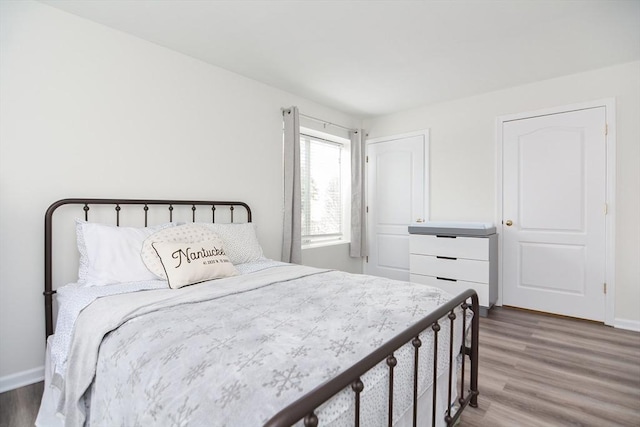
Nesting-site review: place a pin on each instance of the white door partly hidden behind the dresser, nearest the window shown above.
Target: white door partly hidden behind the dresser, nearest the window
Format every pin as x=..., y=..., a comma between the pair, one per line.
x=395, y=198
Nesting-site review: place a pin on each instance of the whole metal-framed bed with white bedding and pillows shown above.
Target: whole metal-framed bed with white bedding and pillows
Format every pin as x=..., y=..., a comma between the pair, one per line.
x=248, y=342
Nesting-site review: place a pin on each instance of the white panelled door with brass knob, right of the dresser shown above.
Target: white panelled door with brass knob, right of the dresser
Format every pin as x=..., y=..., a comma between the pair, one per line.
x=554, y=193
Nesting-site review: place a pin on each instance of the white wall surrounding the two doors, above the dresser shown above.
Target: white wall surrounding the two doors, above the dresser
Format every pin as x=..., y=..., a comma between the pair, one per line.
x=463, y=157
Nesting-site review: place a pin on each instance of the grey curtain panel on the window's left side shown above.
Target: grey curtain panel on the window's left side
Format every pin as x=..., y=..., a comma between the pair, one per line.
x=291, y=237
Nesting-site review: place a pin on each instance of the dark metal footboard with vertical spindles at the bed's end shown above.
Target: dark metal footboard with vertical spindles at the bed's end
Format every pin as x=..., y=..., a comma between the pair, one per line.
x=306, y=406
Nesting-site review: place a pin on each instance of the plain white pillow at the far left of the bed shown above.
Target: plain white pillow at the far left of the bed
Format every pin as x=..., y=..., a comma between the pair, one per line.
x=110, y=254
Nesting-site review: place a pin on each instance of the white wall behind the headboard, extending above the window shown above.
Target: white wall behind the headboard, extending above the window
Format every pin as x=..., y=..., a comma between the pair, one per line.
x=86, y=111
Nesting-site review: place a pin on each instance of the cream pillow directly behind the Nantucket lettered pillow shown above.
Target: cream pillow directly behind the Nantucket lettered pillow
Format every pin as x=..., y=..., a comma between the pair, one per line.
x=180, y=233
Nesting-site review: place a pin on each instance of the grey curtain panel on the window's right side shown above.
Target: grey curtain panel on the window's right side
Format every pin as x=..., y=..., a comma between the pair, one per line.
x=358, y=247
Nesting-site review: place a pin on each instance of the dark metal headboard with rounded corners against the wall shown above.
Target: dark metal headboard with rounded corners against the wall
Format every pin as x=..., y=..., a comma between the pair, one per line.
x=117, y=203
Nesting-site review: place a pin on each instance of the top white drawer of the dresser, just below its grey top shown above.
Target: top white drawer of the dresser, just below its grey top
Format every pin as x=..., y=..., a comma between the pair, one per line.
x=456, y=247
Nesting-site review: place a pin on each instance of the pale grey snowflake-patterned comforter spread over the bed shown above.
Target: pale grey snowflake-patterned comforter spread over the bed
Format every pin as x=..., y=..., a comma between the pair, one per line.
x=235, y=351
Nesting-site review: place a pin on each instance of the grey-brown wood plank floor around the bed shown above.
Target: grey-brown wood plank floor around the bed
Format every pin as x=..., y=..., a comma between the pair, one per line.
x=535, y=370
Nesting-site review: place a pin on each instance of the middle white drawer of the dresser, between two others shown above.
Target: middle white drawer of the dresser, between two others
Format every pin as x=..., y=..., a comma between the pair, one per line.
x=460, y=269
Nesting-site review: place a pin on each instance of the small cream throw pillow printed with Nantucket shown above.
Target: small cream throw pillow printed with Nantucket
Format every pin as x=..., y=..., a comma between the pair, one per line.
x=191, y=263
